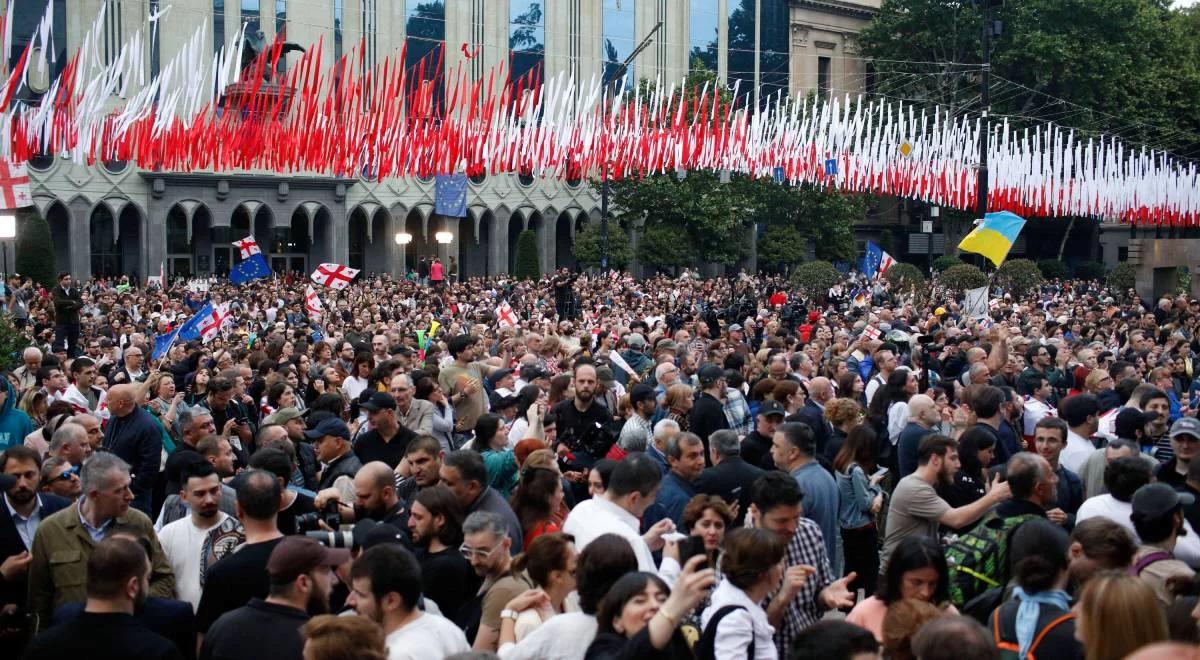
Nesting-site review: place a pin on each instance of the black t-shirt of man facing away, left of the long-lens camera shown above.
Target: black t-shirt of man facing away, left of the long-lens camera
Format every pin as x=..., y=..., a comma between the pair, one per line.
x=233, y=581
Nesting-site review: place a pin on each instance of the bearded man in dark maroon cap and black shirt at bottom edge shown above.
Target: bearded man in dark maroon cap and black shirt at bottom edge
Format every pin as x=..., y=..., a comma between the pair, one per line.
x=302, y=575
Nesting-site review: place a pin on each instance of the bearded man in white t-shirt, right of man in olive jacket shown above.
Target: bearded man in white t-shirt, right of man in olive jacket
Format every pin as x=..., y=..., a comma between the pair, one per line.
x=183, y=542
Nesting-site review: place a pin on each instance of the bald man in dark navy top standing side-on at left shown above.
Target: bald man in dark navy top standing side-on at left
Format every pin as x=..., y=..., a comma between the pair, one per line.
x=135, y=437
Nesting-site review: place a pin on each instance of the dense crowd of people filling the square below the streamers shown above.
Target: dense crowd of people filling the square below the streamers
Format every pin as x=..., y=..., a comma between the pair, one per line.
x=598, y=467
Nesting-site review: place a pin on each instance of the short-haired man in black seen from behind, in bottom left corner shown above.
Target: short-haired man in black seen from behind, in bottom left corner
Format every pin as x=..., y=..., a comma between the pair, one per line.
x=118, y=584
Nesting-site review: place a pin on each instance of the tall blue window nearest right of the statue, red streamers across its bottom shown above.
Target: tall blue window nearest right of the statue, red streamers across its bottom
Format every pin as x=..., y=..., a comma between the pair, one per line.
x=425, y=56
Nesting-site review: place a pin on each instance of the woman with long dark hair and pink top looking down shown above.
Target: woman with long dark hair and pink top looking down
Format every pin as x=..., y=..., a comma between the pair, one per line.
x=919, y=572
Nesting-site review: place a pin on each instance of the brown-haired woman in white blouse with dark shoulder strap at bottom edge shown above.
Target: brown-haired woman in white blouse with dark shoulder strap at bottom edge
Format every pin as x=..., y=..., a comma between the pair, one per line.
x=753, y=563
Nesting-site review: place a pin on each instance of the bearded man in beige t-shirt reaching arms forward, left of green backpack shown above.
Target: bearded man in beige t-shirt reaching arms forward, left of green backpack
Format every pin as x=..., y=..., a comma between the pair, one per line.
x=916, y=507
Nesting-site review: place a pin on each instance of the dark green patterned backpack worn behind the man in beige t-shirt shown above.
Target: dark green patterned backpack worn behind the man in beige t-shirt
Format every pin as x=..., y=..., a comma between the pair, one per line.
x=979, y=560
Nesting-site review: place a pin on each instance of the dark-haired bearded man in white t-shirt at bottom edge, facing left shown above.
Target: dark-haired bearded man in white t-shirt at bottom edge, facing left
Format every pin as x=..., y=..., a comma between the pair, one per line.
x=386, y=587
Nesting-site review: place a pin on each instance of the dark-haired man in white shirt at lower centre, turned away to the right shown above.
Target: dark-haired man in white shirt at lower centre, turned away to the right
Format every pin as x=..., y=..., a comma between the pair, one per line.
x=632, y=490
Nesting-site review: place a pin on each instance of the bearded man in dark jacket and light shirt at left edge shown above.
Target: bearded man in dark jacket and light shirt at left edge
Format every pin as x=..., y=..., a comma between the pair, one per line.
x=25, y=509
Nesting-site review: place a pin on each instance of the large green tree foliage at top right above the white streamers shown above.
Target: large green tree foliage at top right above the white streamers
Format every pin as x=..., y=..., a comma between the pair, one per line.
x=1136, y=63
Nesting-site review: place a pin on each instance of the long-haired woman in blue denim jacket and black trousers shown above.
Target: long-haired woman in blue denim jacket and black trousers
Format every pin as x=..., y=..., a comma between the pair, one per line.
x=860, y=499
